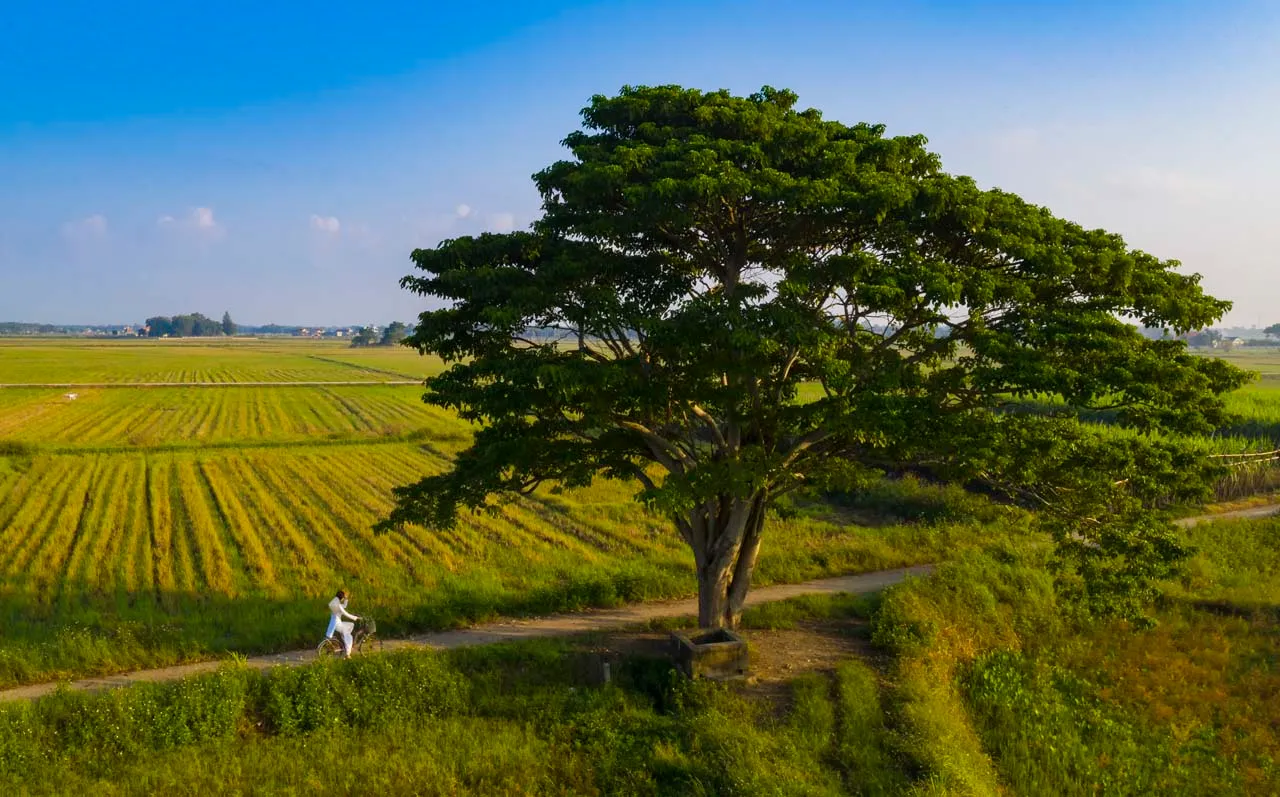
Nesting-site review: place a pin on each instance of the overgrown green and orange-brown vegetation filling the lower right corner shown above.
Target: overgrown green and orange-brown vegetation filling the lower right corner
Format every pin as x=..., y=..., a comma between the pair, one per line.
x=1000, y=684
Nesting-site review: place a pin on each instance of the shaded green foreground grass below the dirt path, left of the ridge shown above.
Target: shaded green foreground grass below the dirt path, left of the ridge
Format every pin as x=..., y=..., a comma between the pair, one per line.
x=509, y=720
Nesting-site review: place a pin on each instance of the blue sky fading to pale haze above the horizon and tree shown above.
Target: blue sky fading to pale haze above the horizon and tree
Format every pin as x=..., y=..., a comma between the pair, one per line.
x=282, y=161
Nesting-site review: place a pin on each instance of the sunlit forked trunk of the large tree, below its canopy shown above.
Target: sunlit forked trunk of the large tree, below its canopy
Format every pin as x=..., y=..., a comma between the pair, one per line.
x=730, y=546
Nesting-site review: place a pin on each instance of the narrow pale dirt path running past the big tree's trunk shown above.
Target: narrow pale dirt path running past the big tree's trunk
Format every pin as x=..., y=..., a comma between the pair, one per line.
x=508, y=631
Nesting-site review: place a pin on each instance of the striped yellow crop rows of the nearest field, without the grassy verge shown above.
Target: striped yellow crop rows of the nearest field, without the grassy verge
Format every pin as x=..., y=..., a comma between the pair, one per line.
x=271, y=525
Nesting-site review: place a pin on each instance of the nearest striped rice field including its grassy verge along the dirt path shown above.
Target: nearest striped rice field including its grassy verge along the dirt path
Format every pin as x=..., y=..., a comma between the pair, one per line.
x=126, y=560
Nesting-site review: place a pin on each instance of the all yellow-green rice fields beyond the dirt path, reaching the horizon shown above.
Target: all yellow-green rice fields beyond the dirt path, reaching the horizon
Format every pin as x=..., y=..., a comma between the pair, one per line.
x=147, y=526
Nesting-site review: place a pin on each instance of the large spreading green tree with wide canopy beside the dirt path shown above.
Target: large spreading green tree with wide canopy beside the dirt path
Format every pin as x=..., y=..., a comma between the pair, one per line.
x=702, y=256
